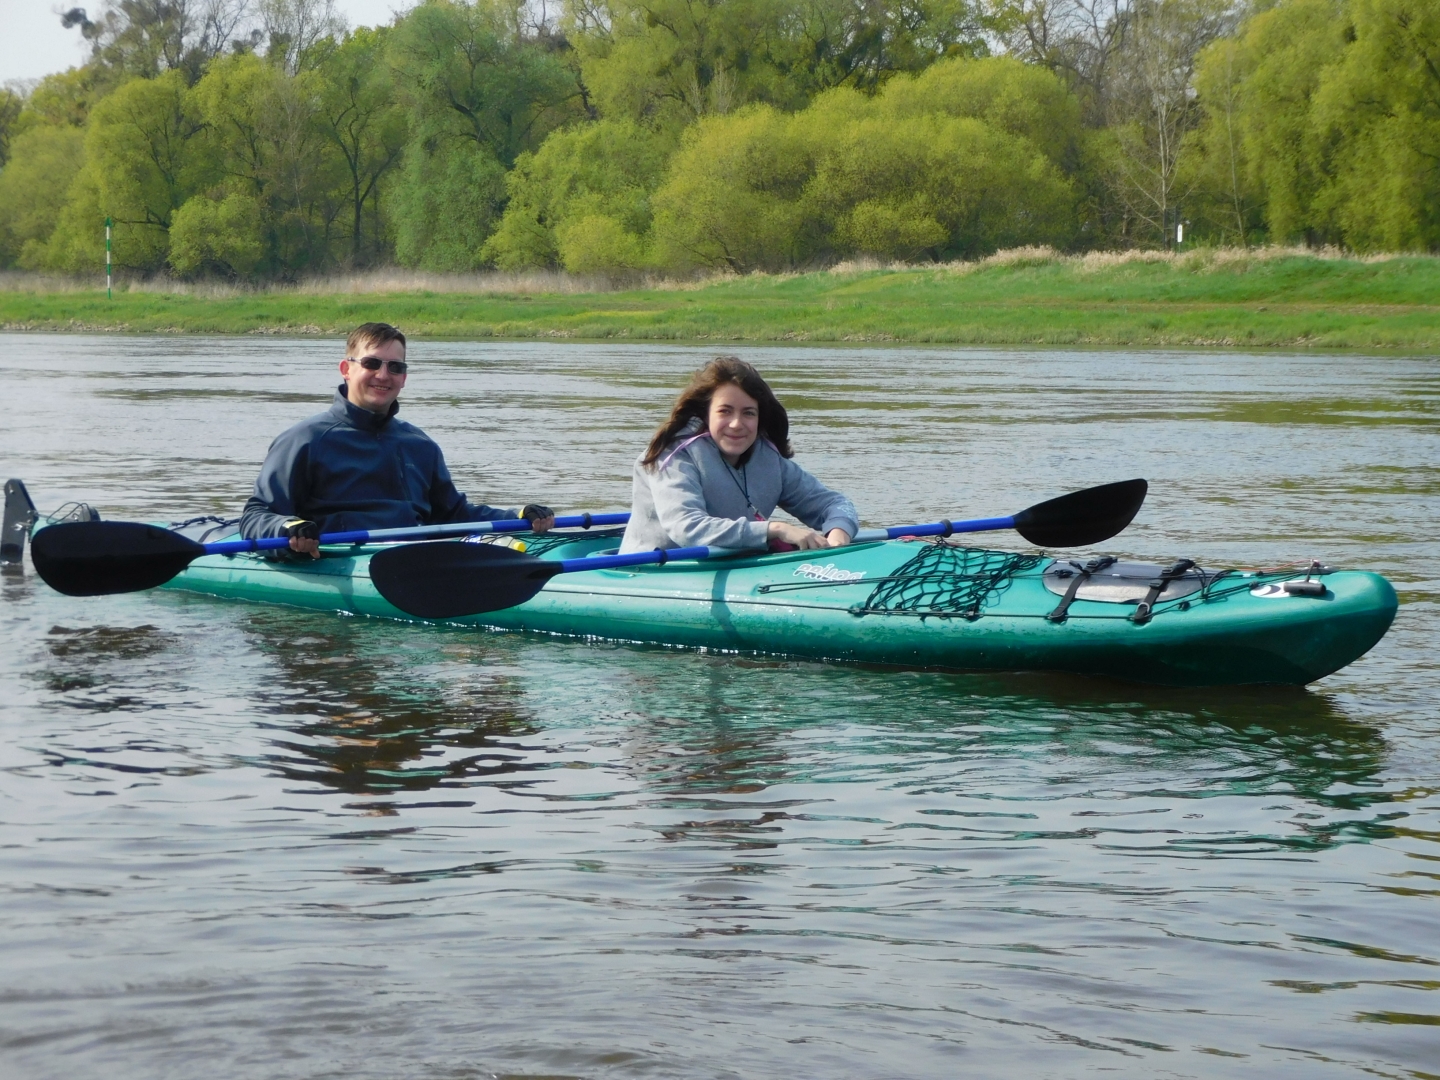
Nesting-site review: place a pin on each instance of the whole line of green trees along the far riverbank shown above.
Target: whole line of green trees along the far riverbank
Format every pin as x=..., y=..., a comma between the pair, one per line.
x=263, y=140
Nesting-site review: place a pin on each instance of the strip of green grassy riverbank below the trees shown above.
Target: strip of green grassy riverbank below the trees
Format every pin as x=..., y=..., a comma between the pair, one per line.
x=1216, y=299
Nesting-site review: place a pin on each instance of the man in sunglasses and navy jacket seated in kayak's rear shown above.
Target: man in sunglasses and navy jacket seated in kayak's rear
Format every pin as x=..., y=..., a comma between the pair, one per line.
x=358, y=467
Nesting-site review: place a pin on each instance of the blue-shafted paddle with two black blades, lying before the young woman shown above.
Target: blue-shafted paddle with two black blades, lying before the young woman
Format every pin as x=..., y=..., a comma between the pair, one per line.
x=447, y=581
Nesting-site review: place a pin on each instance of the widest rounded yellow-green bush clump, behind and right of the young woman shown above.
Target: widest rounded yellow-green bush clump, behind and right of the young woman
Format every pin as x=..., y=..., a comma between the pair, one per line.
x=909, y=174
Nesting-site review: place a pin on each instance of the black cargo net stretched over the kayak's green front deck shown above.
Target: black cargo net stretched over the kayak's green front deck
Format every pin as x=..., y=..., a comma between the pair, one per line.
x=947, y=581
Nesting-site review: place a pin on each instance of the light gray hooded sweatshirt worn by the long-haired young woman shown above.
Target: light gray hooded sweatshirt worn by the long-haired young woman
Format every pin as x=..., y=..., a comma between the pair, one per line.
x=693, y=498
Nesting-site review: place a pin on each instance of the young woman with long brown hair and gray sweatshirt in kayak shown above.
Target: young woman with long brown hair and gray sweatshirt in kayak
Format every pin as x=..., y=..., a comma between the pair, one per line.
x=721, y=466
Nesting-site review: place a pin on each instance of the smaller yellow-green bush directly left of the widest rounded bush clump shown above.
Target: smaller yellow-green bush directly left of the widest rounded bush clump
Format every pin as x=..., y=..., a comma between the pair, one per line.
x=584, y=199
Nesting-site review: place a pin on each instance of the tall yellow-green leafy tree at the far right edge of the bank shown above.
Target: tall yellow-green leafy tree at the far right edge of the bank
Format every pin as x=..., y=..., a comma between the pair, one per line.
x=1331, y=113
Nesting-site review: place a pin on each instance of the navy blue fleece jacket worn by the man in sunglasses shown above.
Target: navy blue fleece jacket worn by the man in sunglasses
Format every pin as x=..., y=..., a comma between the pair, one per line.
x=352, y=469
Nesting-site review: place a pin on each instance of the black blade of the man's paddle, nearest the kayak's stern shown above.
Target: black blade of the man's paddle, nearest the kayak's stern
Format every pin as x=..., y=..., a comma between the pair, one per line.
x=99, y=558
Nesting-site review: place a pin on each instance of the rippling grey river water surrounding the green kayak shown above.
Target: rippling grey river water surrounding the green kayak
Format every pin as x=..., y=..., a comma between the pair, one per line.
x=247, y=842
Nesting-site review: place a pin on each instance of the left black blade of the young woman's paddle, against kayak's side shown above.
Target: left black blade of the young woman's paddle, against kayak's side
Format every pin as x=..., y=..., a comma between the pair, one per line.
x=450, y=580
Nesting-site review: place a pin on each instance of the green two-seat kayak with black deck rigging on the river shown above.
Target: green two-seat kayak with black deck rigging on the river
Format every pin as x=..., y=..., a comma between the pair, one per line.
x=906, y=603
